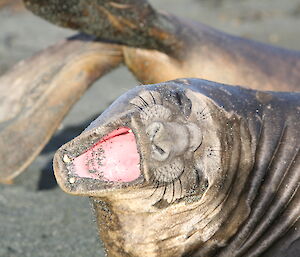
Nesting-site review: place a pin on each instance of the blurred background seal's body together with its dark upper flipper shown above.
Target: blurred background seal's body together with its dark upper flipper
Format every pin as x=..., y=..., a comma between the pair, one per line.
x=159, y=46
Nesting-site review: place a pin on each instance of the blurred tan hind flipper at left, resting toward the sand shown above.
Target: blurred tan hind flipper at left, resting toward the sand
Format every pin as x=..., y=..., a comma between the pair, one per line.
x=36, y=95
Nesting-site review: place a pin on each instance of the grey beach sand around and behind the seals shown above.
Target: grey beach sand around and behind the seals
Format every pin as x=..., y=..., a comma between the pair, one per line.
x=36, y=218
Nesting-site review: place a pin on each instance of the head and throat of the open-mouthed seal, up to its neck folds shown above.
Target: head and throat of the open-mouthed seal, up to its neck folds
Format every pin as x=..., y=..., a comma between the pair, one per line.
x=158, y=164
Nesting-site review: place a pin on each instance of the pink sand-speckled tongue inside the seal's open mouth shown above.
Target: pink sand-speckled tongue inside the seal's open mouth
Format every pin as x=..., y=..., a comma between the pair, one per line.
x=113, y=158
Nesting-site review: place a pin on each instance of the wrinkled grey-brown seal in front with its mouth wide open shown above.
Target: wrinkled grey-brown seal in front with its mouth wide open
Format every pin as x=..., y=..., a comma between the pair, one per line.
x=191, y=168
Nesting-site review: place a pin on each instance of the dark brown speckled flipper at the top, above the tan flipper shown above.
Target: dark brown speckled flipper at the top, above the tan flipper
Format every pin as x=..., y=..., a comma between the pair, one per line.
x=132, y=22
